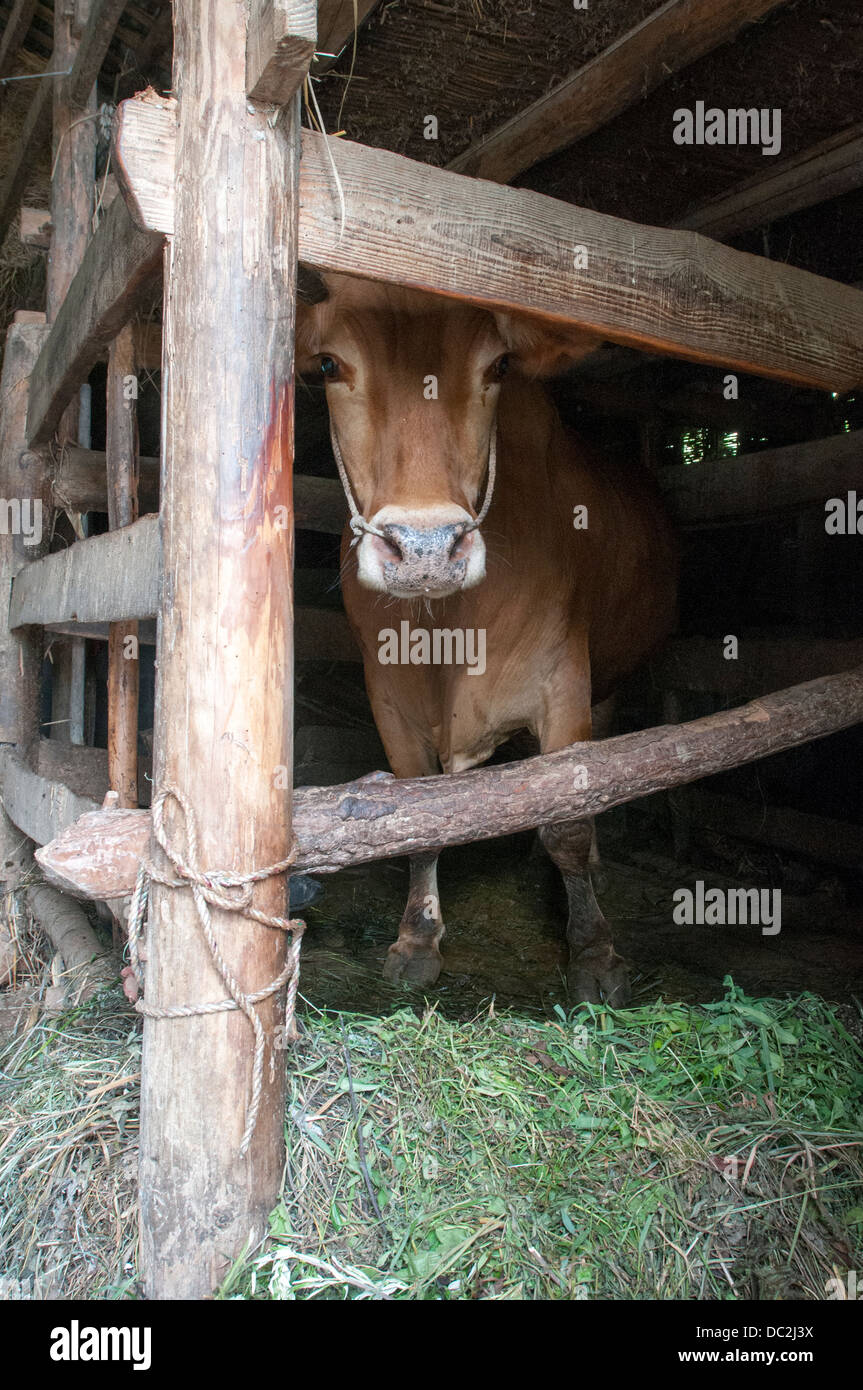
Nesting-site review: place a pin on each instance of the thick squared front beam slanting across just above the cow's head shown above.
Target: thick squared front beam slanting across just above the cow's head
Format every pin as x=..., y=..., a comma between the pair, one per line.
x=511, y=250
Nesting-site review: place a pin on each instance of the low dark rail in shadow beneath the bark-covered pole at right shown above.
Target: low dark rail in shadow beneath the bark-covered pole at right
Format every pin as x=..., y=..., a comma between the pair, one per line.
x=830, y=842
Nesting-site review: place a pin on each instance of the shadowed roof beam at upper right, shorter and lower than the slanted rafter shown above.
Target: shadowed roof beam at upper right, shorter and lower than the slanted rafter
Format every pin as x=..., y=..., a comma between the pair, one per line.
x=821, y=173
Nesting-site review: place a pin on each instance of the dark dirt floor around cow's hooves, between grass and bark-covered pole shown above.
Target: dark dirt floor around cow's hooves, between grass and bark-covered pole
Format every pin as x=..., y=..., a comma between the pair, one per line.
x=504, y=907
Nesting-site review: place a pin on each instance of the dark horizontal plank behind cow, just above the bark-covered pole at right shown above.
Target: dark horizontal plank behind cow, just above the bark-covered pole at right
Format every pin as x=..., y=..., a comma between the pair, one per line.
x=764, y=665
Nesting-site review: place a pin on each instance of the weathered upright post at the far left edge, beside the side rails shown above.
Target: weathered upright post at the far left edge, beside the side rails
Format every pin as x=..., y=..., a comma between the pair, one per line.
x=24, y=477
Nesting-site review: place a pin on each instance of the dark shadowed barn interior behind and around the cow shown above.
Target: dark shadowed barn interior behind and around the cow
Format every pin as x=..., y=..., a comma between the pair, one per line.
x=747, y=473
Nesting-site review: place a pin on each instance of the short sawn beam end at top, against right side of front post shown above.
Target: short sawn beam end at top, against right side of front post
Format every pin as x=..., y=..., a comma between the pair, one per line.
x=280, y=45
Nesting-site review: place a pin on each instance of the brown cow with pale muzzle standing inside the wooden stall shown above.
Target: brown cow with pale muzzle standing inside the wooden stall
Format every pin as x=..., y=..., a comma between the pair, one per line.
x=420, y=404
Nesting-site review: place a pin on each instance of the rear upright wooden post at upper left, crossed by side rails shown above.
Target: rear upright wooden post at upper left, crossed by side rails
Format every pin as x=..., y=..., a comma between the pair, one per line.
x=73, y=193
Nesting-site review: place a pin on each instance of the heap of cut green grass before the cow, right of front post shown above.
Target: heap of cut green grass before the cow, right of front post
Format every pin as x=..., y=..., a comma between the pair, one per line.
x=671, y=1152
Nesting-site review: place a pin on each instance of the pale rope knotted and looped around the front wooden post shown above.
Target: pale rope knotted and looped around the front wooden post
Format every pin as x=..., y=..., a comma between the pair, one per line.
x=231, y=893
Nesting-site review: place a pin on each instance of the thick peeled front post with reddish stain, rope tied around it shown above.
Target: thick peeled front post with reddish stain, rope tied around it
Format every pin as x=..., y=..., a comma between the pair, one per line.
x=224, y=655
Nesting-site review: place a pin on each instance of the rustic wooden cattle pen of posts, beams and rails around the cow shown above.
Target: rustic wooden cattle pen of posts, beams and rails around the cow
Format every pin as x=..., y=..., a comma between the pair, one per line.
x=180, y=258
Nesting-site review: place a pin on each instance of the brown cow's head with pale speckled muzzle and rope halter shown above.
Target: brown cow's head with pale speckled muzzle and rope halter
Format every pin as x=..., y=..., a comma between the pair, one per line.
x=412, y=386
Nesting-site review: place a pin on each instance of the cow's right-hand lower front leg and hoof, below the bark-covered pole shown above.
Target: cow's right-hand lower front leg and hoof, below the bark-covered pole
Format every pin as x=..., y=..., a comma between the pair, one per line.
x=594, y=964
